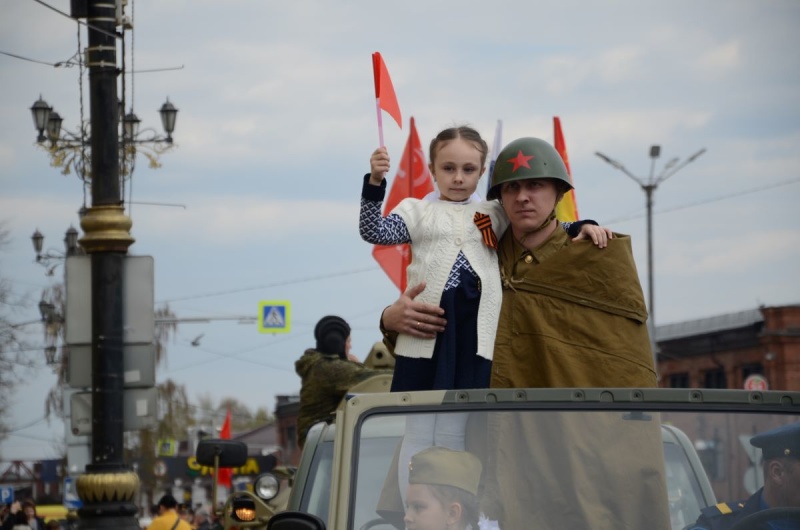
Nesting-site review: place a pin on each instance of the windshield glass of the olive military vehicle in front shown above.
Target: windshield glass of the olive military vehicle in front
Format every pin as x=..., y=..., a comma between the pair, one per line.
x=545, y=469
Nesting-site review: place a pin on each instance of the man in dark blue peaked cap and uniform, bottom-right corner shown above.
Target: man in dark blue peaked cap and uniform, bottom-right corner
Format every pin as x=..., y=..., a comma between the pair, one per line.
x=780, y=449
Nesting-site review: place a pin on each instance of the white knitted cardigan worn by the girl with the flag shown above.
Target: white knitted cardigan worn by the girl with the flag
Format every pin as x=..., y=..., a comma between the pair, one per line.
x=439, y=230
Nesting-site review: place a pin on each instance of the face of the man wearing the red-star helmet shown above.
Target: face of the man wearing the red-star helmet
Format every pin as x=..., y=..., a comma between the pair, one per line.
x=528, y=202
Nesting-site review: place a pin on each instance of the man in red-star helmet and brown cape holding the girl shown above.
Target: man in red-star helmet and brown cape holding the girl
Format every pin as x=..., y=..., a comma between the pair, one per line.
x=572, y=316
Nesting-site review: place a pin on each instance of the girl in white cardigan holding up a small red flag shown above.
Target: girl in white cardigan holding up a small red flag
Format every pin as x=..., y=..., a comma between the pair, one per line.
x=451, y=254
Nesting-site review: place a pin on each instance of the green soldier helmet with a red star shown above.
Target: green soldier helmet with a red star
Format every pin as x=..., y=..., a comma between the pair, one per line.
x=528, y=158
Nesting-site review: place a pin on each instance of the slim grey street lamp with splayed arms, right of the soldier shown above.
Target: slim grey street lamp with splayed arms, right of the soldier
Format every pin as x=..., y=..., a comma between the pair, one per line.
x=649, y=187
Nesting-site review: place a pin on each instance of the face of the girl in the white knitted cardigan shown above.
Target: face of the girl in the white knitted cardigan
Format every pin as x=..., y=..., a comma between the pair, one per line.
x=456, y=169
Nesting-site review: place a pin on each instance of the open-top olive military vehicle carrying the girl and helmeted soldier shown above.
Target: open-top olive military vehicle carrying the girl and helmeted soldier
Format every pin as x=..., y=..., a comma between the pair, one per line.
x=589, y=458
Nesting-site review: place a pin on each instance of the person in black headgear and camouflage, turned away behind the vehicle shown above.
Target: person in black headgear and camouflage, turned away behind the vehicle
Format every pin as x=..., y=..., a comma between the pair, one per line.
x=326, y=373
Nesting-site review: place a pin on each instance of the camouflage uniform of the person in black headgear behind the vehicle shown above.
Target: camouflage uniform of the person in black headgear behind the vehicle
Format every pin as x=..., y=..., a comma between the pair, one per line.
x=325, y=381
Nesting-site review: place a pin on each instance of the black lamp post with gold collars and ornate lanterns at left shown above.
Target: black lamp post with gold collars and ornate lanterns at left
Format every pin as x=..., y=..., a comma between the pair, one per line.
x=102, y=155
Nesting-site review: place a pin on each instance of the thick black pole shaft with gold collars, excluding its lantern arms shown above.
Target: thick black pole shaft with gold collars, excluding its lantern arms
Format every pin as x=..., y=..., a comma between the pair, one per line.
x=108, y=487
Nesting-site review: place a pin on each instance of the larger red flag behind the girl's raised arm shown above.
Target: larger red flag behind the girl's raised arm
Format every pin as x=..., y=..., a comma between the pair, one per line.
x=413, y=179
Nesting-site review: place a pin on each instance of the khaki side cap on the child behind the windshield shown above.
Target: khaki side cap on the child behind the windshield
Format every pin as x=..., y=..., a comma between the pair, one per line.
x=441, y=466
